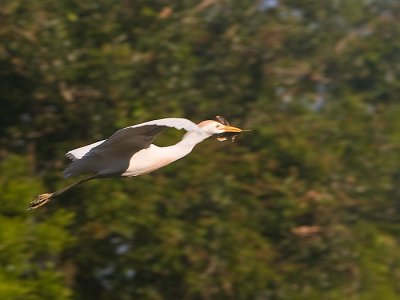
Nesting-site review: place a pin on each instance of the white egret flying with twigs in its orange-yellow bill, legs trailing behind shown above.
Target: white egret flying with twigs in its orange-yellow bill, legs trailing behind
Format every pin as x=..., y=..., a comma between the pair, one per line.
x=130, y=151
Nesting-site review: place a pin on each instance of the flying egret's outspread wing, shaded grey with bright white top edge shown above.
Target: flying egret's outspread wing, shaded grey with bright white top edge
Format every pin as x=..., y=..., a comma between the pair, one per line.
x=112, y=156
